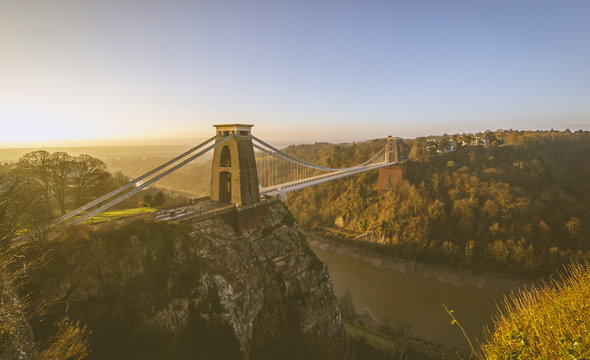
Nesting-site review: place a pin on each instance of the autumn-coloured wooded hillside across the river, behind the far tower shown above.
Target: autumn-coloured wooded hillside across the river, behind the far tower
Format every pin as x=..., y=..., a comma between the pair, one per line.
x=508, y=201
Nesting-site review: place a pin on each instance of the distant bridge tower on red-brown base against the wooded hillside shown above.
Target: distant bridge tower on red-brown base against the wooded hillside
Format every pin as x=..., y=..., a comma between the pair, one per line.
x=391, y=176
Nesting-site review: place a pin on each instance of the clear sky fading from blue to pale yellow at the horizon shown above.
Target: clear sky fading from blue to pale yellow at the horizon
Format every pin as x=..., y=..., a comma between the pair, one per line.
x=308, y=70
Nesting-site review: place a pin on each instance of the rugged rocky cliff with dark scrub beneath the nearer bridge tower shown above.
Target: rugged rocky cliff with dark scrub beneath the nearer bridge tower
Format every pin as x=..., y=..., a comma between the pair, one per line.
x=152, y=290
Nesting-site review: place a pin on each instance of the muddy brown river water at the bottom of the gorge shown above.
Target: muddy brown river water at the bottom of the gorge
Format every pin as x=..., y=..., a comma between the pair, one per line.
x=411, y=300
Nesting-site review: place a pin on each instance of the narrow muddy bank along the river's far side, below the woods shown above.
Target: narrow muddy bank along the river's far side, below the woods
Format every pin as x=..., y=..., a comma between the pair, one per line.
x=443, y=274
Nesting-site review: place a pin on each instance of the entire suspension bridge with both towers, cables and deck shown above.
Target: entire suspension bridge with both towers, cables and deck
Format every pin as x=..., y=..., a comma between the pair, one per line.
x=246, y=174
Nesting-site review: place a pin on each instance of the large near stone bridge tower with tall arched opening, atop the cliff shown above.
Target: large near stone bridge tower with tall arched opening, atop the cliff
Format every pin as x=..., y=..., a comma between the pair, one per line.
x=234, y=178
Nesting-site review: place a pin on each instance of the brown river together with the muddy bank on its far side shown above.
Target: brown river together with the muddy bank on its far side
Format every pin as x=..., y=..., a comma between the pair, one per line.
x=412, y=296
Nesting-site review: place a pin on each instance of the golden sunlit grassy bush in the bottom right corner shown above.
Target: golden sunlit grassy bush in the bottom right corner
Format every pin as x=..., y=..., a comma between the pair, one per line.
x=550, y=321
